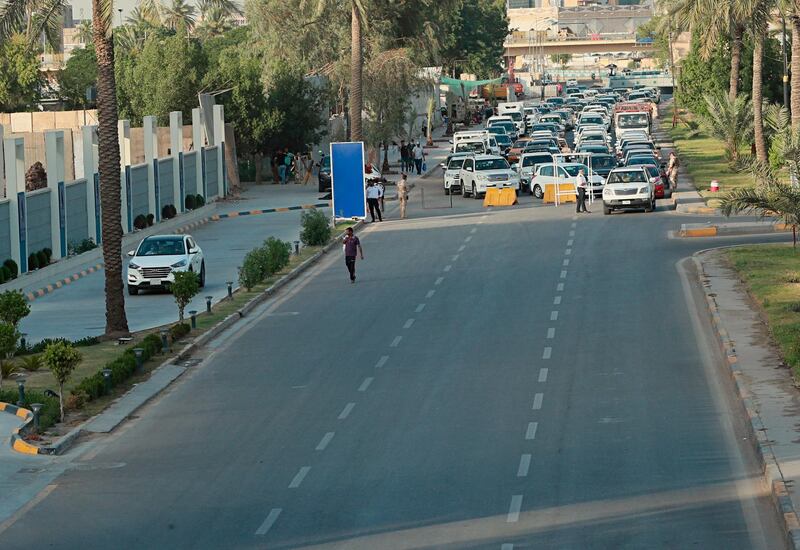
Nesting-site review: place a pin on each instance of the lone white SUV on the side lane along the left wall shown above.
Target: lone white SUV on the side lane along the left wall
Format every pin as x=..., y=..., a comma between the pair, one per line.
x=158, y=257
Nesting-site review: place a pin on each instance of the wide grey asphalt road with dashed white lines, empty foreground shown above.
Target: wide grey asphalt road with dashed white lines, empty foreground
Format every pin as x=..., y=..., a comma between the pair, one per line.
x=507, y=379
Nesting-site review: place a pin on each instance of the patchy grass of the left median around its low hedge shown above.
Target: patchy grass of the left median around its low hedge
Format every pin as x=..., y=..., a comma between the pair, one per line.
x=95, y=357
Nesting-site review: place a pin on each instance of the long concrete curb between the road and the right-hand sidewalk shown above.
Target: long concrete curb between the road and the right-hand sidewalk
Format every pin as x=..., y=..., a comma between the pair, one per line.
x=771, y=469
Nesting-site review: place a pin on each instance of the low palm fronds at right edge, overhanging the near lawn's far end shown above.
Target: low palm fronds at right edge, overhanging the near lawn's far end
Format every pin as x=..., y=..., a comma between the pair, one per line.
x=779, y=200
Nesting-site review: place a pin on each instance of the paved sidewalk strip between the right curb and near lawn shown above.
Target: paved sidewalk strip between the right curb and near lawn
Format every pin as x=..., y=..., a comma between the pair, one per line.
x=765, y=385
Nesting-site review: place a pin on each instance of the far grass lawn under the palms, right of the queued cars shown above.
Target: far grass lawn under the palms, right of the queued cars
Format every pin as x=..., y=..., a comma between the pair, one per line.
x=704, y=159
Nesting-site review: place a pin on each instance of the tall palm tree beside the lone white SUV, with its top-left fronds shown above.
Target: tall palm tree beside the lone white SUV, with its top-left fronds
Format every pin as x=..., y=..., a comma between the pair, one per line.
x=15, y=16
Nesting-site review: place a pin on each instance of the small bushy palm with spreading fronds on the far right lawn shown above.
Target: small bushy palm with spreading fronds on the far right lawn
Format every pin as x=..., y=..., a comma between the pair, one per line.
x=730, y=122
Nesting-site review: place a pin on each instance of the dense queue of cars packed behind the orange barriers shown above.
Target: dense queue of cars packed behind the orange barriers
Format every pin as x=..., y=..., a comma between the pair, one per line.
x=524, y=147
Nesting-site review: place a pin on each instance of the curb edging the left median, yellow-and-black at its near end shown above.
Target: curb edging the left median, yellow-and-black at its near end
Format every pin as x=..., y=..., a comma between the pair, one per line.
x=63, y=443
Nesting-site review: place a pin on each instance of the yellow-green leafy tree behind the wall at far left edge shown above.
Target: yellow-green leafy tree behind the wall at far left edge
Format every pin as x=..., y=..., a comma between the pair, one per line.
x=21, y=81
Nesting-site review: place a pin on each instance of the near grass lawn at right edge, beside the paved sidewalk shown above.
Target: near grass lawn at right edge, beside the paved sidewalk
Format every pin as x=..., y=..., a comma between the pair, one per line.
x=772, y=274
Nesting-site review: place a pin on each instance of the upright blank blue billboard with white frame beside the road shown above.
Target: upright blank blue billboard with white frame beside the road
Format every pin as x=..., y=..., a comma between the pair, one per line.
x=347, y=180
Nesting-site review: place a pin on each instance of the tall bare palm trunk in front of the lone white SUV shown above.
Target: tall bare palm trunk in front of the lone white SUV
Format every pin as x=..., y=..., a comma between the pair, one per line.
x=109, y=168
